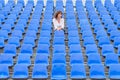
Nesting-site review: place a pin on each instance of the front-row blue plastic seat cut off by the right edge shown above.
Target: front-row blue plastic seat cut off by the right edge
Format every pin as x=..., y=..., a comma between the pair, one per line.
x=114, y=71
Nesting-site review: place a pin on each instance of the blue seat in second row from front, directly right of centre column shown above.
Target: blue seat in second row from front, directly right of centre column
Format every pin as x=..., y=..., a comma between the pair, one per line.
x=76, y=59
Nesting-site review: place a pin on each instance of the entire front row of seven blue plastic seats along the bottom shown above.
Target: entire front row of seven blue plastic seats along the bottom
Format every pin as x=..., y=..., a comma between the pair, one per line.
x=59, y=71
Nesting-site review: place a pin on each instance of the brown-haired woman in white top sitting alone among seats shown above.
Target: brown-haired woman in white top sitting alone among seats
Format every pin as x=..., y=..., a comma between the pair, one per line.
x=58, y=21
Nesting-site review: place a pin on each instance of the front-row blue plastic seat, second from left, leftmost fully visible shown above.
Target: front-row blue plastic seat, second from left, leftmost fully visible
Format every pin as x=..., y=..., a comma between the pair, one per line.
x=20, y=71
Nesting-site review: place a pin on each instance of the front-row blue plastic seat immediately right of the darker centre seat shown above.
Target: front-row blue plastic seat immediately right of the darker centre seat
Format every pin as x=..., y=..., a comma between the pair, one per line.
x=78, y=72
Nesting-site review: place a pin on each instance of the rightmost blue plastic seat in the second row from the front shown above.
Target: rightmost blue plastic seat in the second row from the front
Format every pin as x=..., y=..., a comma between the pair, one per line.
x=111, y=59
